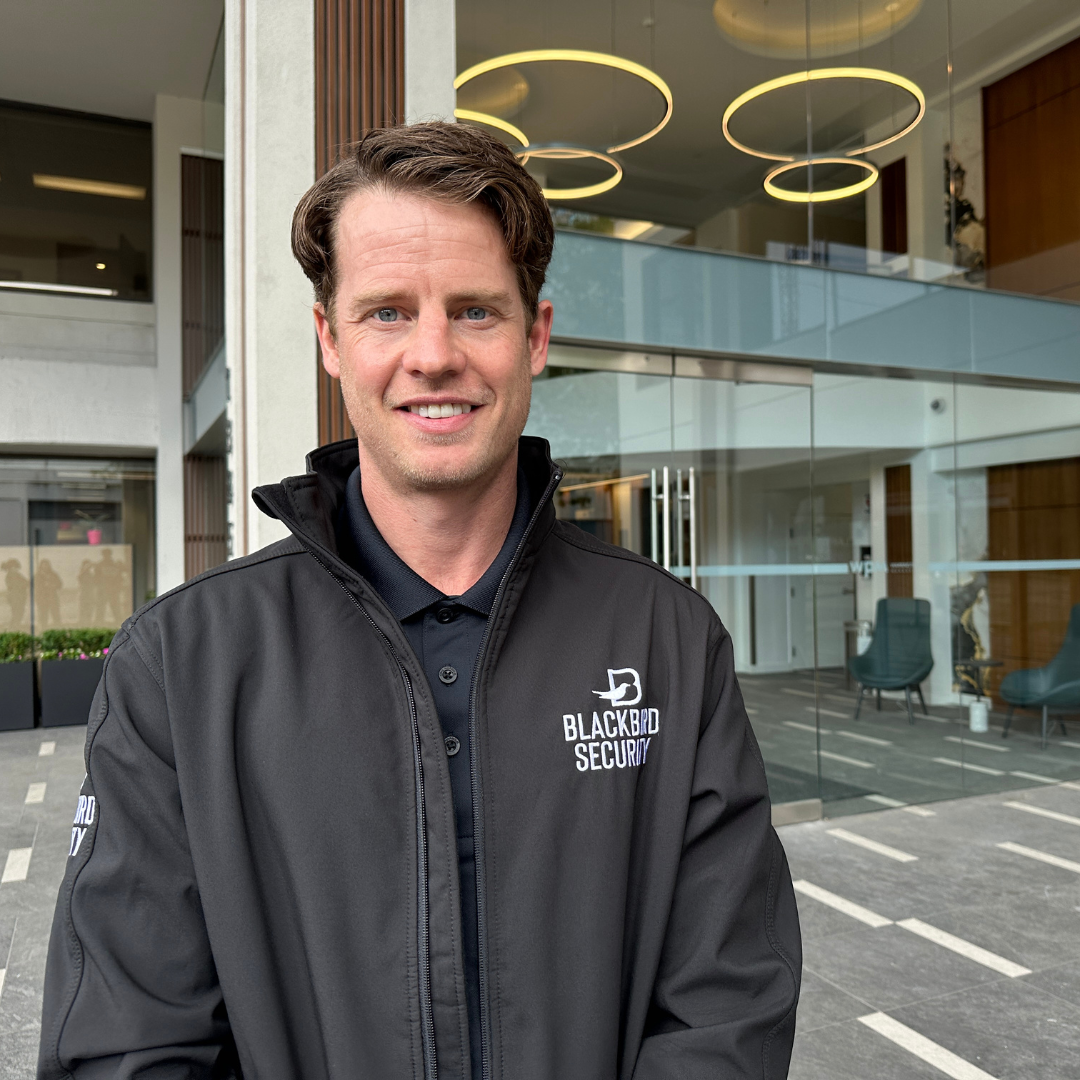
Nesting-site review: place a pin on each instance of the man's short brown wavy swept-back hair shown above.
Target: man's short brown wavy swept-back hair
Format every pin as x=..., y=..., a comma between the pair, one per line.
x=445, y=161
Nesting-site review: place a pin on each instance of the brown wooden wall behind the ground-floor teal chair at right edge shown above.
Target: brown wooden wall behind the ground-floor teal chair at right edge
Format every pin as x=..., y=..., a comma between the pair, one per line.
x=1033, y=512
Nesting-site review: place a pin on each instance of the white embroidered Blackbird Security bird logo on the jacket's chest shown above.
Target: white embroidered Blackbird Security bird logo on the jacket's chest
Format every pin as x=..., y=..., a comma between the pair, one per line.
x=616, y=738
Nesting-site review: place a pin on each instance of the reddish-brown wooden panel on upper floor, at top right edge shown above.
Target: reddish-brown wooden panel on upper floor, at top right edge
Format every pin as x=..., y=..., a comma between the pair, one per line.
x=1032, y=143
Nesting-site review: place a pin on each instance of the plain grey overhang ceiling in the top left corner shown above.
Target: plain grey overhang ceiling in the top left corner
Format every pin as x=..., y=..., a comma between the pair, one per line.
x=107, y=57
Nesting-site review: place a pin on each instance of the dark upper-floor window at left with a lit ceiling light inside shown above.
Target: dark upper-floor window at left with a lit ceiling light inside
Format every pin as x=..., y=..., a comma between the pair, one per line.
x=75, y=204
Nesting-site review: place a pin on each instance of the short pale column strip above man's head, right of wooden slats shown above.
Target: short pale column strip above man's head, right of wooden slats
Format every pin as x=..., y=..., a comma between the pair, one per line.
x=430, y=60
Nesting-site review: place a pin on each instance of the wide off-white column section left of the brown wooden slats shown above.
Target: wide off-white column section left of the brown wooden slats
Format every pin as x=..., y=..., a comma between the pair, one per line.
x=271, y=341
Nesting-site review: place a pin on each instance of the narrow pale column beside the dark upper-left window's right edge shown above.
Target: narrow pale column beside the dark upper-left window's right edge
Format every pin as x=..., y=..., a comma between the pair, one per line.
x=178, y=123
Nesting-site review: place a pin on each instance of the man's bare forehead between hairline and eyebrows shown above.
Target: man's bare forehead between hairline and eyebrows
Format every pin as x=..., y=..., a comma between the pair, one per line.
x=388, y=235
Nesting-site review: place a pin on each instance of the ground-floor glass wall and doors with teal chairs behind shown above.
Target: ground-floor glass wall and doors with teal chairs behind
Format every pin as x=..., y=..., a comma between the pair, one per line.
x=913, y=537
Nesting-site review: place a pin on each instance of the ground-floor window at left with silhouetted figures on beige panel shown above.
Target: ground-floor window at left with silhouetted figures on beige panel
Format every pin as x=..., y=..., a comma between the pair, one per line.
x=76, y=543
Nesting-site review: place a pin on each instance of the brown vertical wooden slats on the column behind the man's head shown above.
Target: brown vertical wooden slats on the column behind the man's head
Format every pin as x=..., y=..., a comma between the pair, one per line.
x=360, y=85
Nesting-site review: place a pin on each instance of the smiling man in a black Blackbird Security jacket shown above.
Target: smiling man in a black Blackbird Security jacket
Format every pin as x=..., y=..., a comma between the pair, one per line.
x=439, y=786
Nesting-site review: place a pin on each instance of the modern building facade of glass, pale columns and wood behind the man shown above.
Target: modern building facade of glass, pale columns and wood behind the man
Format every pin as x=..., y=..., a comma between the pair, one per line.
x=817, y=339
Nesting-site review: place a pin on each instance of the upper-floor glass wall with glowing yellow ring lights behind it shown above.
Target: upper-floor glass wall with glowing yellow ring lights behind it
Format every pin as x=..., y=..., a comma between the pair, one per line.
x=924, y=140
